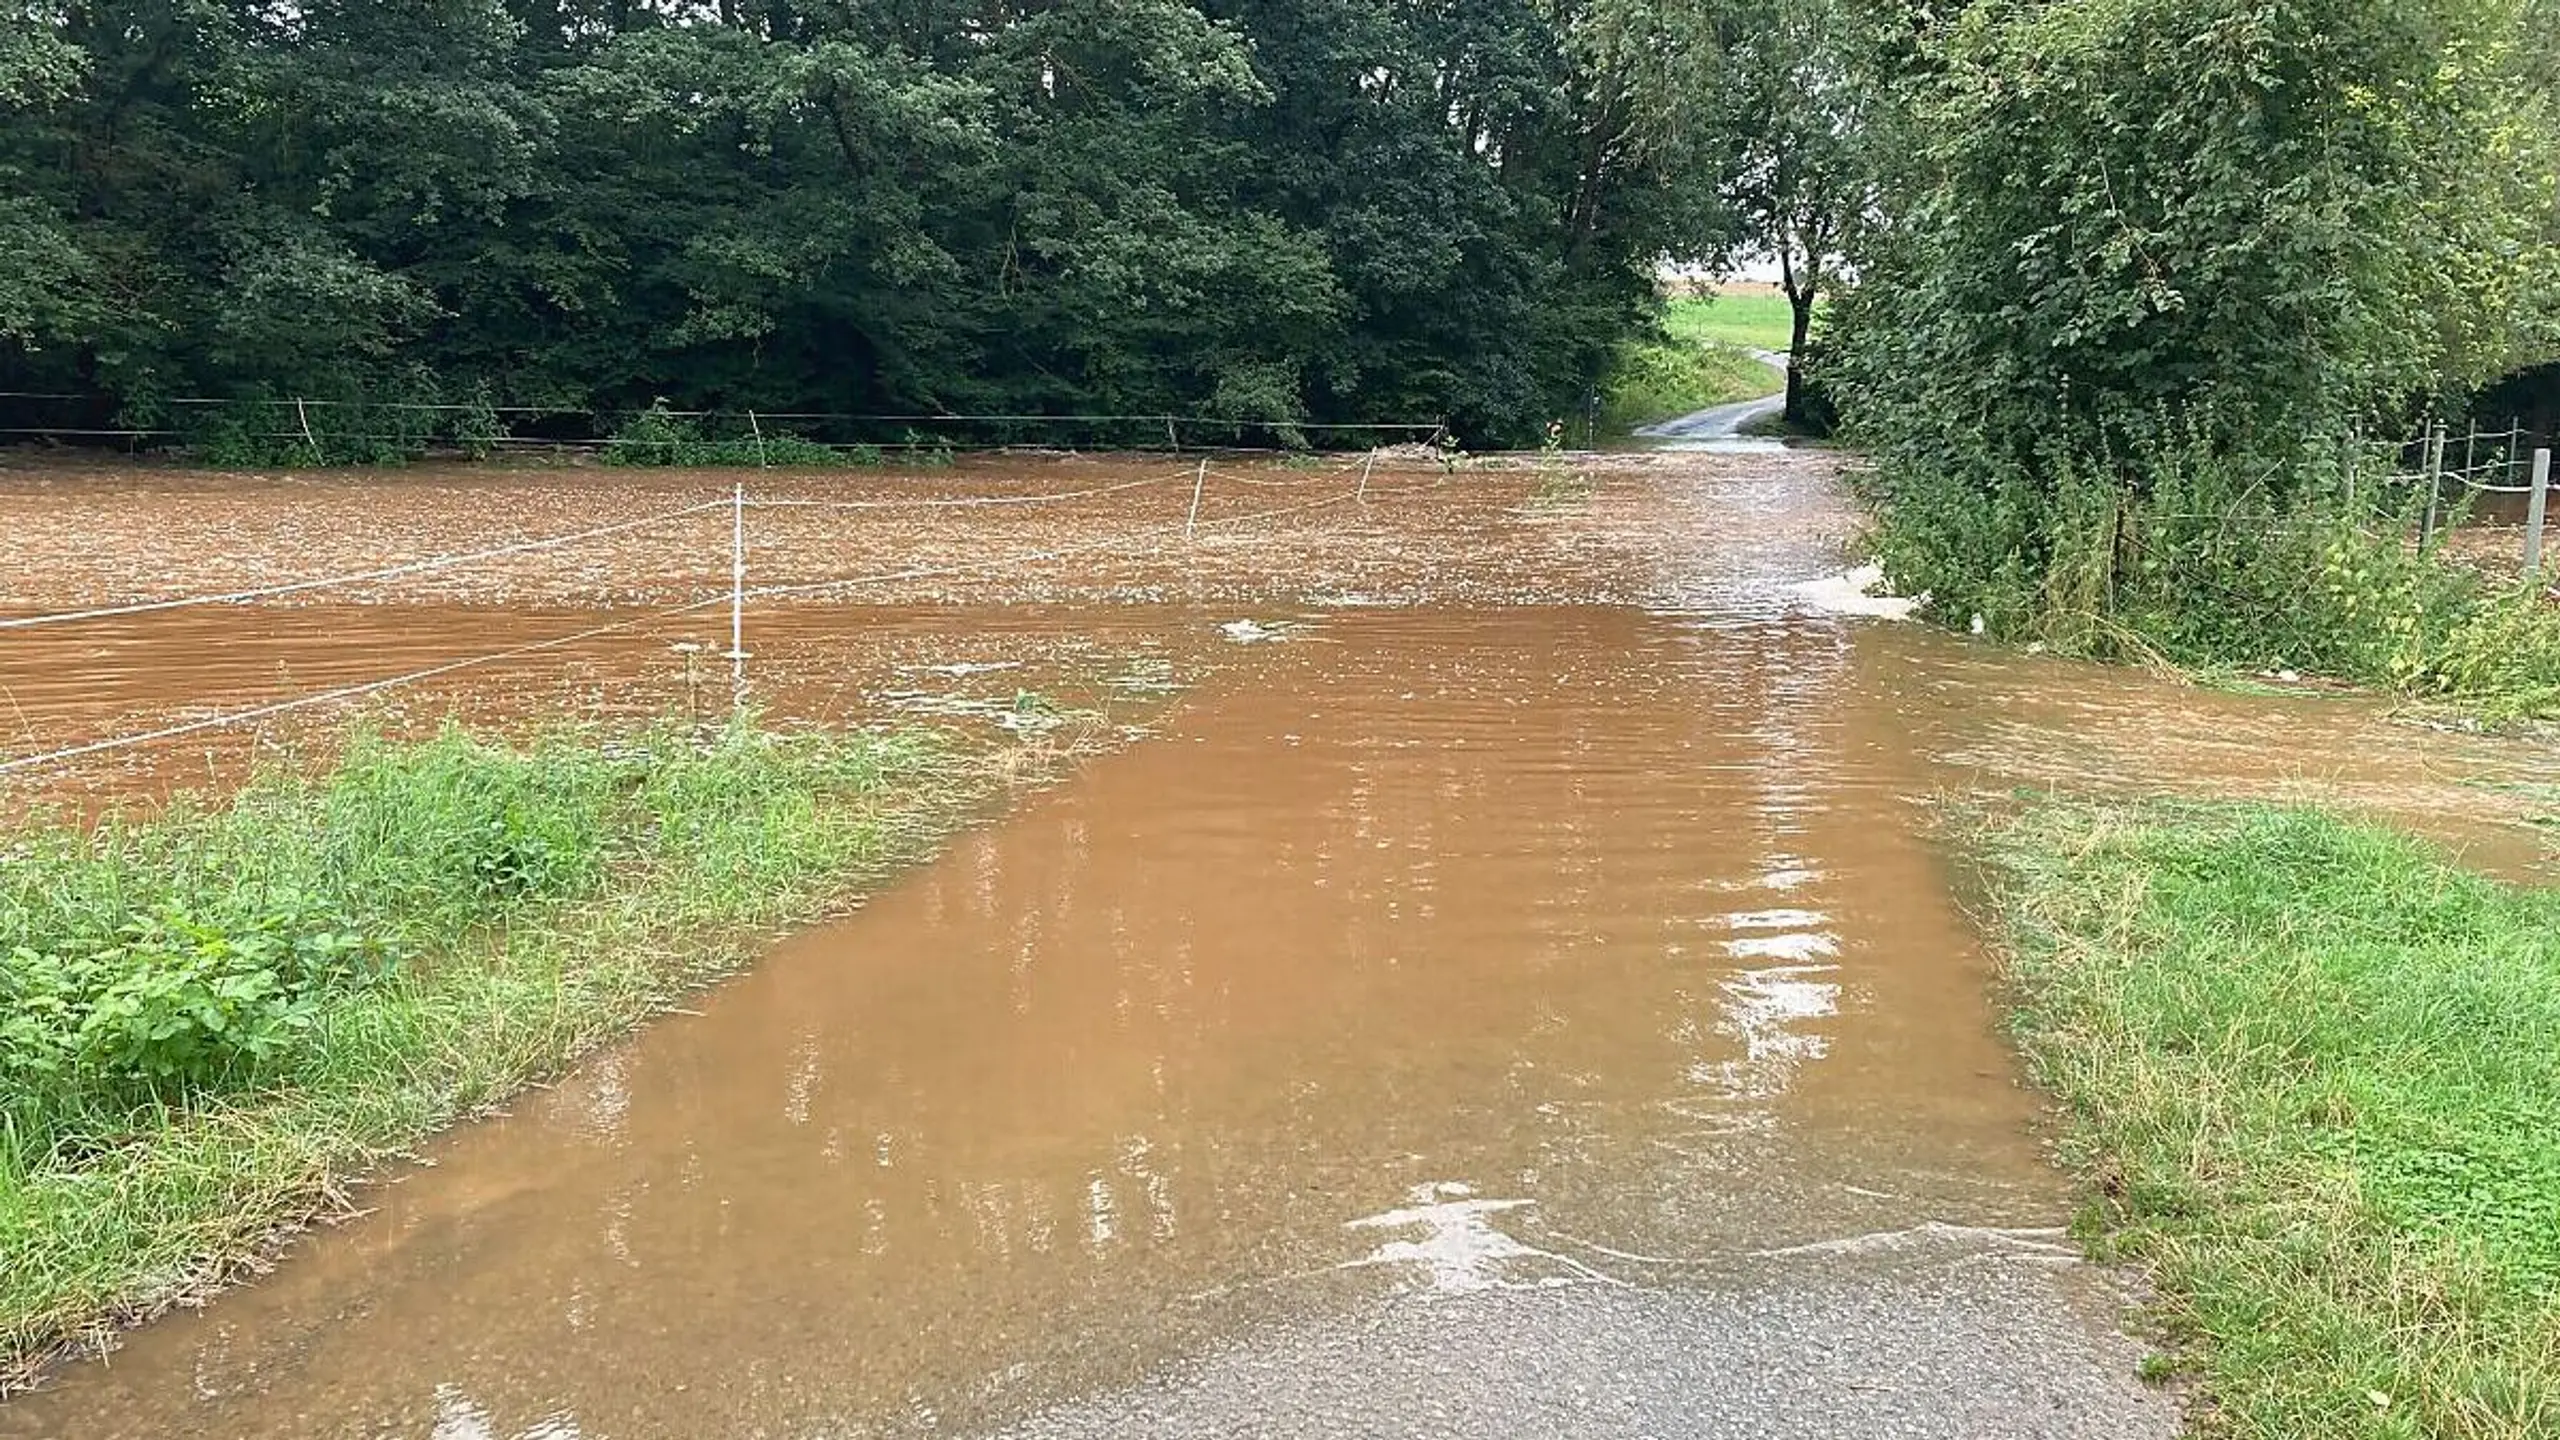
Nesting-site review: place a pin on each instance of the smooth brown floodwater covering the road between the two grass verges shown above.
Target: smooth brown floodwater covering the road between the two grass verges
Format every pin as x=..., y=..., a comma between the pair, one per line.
x=1440, y=954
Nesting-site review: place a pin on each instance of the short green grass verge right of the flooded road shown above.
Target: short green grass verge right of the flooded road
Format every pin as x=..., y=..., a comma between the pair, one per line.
x=2313, y=1077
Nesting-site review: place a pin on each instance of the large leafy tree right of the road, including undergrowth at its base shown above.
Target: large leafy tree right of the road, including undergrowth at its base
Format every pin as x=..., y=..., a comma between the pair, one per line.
x=2141, y=263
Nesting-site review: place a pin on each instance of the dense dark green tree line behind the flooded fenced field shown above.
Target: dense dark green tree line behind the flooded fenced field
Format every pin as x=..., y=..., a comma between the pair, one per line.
x=1281, y=211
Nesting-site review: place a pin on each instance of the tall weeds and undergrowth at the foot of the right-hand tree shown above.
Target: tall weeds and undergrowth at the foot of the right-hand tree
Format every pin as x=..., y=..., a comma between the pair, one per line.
x=2216, y=568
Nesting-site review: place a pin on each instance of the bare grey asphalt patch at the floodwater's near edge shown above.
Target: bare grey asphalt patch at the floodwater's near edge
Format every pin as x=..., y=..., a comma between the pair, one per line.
x=1929, y=1334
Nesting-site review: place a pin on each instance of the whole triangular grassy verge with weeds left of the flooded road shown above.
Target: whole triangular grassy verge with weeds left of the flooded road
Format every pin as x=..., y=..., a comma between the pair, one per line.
x=216, y=1019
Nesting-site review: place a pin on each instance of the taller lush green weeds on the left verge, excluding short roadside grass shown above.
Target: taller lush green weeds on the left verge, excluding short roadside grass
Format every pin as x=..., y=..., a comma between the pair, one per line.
x=157, y=962
